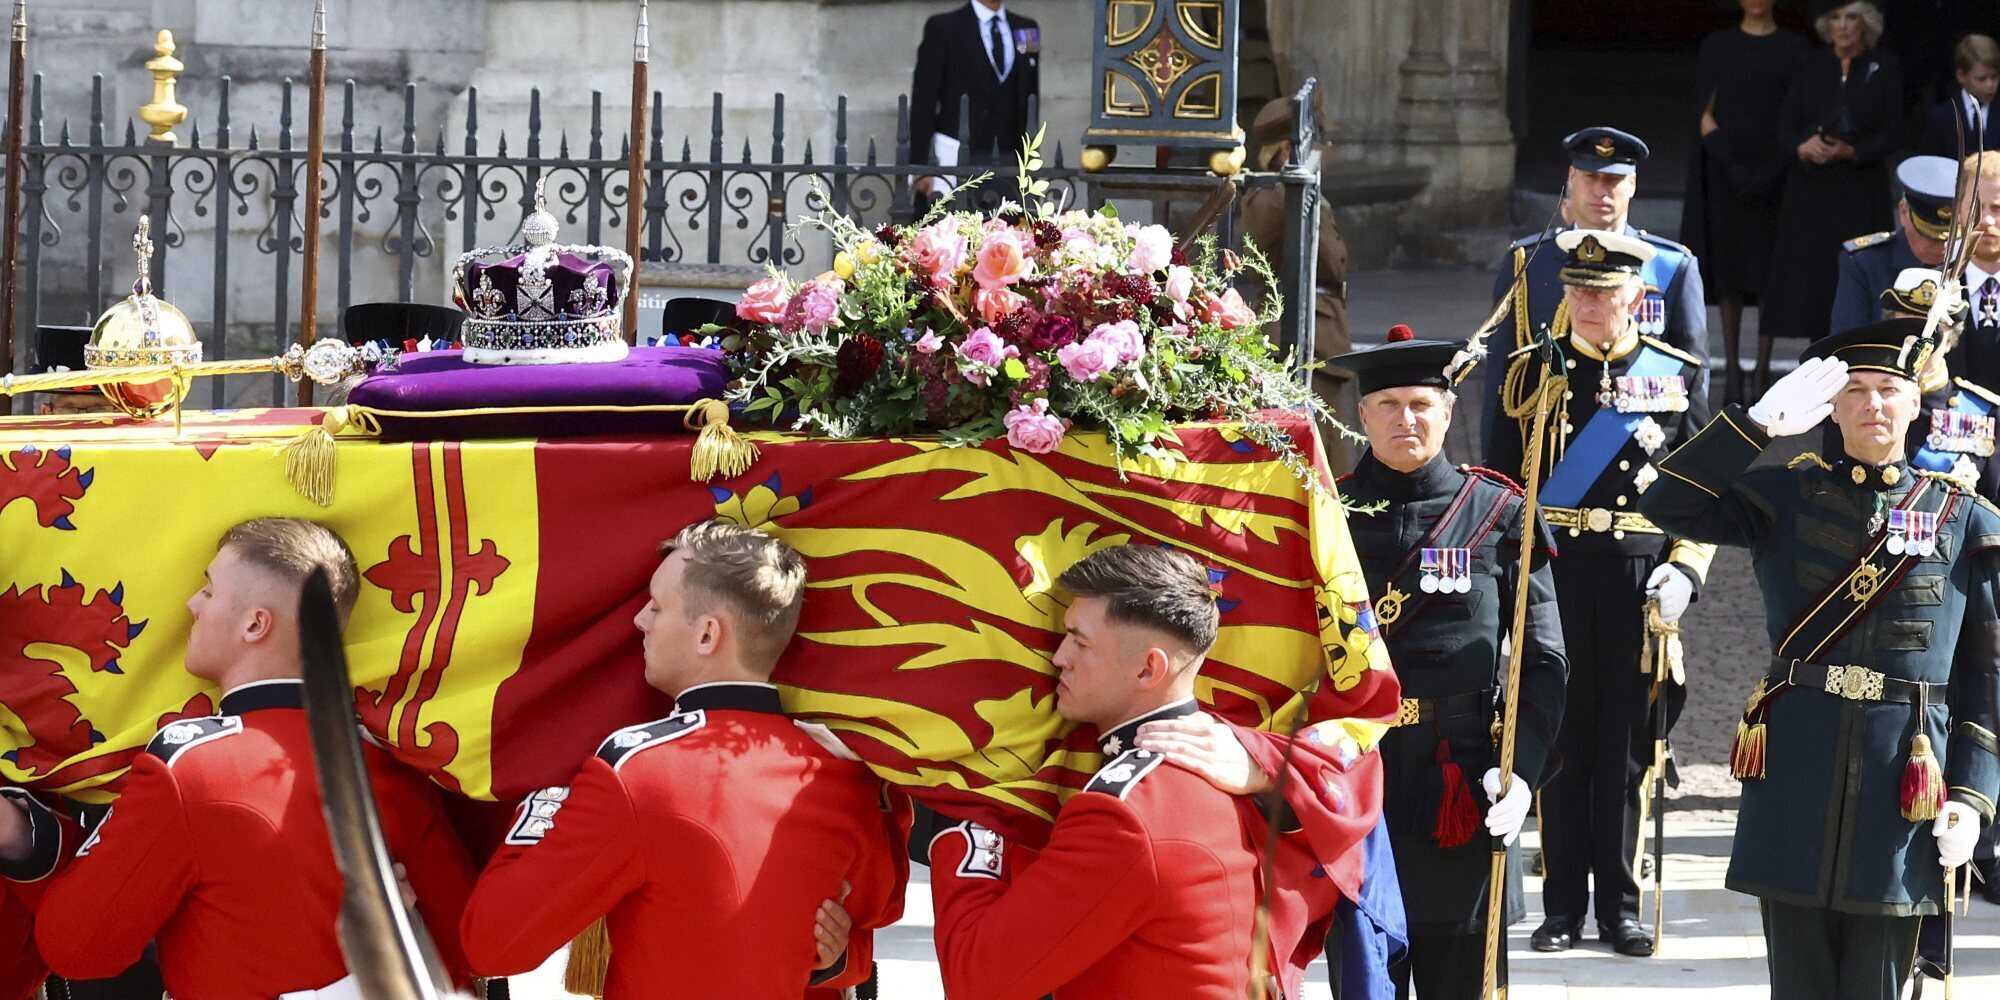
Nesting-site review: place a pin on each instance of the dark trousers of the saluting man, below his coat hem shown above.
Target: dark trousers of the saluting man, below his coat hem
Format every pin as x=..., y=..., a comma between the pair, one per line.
x=1823, y=955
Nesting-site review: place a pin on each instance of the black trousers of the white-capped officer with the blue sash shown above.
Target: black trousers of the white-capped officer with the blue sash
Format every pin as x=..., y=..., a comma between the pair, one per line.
x=1591, y=807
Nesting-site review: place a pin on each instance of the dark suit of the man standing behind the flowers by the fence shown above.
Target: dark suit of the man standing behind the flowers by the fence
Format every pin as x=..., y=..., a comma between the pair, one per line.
x=951, y=65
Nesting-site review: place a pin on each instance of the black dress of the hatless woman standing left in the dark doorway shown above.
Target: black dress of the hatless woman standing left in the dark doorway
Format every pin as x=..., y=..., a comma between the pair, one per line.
x=1731, y=217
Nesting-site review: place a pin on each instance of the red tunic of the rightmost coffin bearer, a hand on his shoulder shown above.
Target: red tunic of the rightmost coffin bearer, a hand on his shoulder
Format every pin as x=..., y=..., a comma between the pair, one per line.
x=1147, y=887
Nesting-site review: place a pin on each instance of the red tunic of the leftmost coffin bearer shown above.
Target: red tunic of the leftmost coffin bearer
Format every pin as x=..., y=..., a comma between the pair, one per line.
x=219, y=849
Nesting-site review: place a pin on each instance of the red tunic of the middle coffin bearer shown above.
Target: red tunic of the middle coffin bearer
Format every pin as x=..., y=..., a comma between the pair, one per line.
x=709, y=841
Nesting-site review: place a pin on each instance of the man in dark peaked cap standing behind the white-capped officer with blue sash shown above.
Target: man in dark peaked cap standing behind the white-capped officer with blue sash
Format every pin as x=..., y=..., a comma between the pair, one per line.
x=1597, y=197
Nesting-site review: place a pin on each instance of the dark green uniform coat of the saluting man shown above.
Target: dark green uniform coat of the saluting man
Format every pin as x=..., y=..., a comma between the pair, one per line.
x=1825, y=825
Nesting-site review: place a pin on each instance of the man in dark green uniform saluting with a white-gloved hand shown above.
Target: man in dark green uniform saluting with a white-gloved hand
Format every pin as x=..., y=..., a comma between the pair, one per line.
x=1867, y=753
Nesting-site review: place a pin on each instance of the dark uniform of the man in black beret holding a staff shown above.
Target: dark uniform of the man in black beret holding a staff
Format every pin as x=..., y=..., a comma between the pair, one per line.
x=1447, y=653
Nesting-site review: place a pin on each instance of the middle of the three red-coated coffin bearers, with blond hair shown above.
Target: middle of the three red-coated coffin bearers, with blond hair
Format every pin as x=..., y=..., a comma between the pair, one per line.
x=719, y=837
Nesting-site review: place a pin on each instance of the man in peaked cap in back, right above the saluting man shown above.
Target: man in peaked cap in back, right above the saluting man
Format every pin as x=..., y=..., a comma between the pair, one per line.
x=1869, y=265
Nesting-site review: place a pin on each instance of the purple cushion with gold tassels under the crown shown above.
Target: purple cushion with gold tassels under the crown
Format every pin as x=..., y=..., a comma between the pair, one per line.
x=445, y=381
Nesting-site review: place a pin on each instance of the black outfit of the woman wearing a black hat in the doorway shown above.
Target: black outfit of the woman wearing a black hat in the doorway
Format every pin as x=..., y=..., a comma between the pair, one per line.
x=1827, y=205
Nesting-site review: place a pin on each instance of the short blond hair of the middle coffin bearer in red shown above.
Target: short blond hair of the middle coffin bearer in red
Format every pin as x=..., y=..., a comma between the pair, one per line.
x=757, y=579
